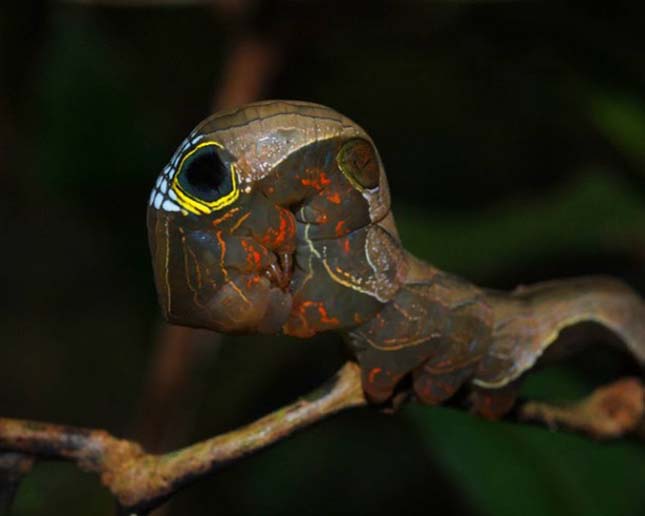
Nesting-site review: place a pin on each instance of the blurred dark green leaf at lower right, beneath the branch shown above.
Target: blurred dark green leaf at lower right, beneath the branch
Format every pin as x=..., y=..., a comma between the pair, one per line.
x=509, y=469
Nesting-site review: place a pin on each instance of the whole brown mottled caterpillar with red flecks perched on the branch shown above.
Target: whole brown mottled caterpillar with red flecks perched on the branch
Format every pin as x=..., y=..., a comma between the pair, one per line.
x=309, y=244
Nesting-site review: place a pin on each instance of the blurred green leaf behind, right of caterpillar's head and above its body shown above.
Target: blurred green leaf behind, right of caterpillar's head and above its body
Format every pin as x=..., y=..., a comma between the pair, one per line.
x=598, y=212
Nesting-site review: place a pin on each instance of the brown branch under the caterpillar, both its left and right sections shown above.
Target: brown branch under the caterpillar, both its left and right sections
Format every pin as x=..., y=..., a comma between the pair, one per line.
x=141, y=481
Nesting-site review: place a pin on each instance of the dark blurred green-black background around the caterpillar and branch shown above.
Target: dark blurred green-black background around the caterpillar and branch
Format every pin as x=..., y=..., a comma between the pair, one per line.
x=514, y=138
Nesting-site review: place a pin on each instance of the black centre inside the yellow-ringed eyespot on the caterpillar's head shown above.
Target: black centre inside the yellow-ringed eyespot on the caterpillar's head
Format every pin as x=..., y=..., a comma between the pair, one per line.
x=205, y=176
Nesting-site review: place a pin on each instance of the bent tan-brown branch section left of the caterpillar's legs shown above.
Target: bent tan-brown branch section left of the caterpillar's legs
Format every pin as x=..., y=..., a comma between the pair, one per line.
x=139, y=480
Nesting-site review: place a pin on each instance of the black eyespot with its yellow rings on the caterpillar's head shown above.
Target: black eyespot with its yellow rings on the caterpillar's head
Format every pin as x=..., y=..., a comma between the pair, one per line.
x=205, y=180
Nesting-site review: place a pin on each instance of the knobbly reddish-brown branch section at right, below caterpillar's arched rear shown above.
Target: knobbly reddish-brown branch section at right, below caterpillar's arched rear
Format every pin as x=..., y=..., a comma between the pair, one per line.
x=610, y=411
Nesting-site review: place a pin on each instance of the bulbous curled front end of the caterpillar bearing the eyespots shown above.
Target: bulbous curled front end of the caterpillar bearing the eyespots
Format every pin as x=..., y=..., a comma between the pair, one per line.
x=274, y=217
